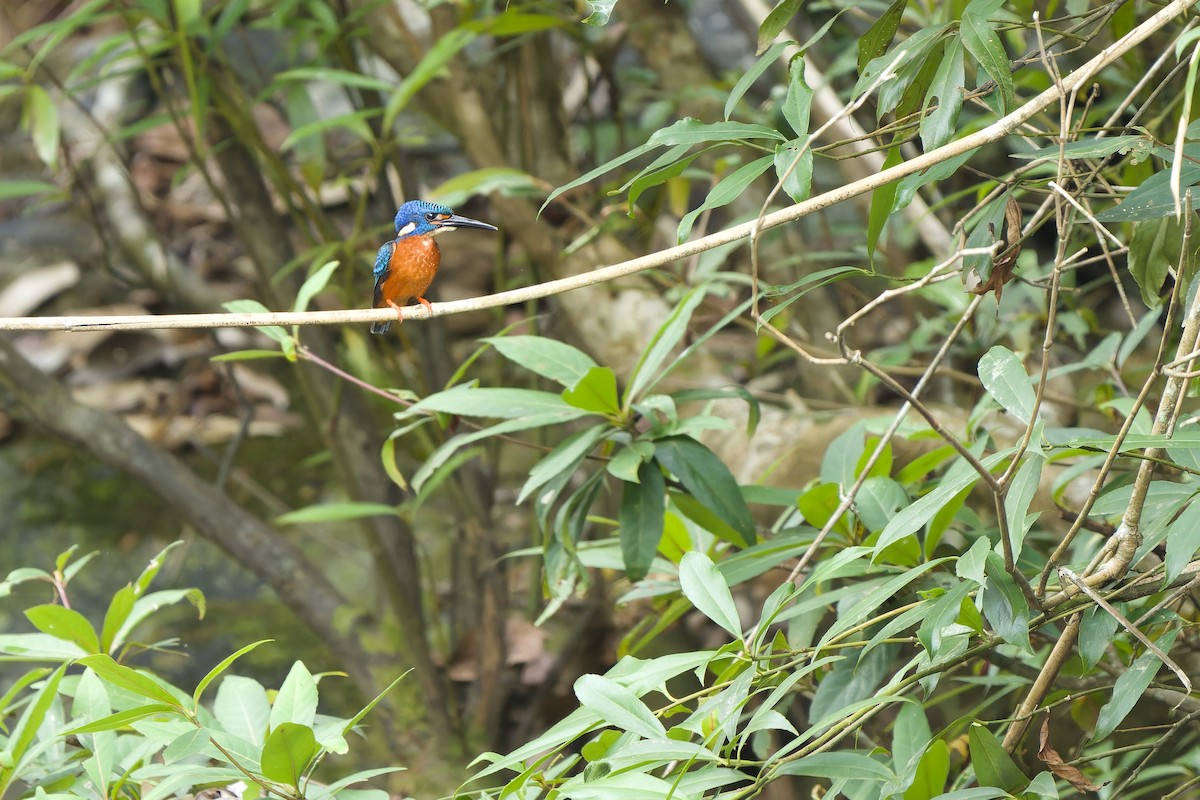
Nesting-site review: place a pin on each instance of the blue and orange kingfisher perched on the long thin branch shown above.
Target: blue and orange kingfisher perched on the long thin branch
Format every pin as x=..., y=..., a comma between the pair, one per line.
x=406, y=266
